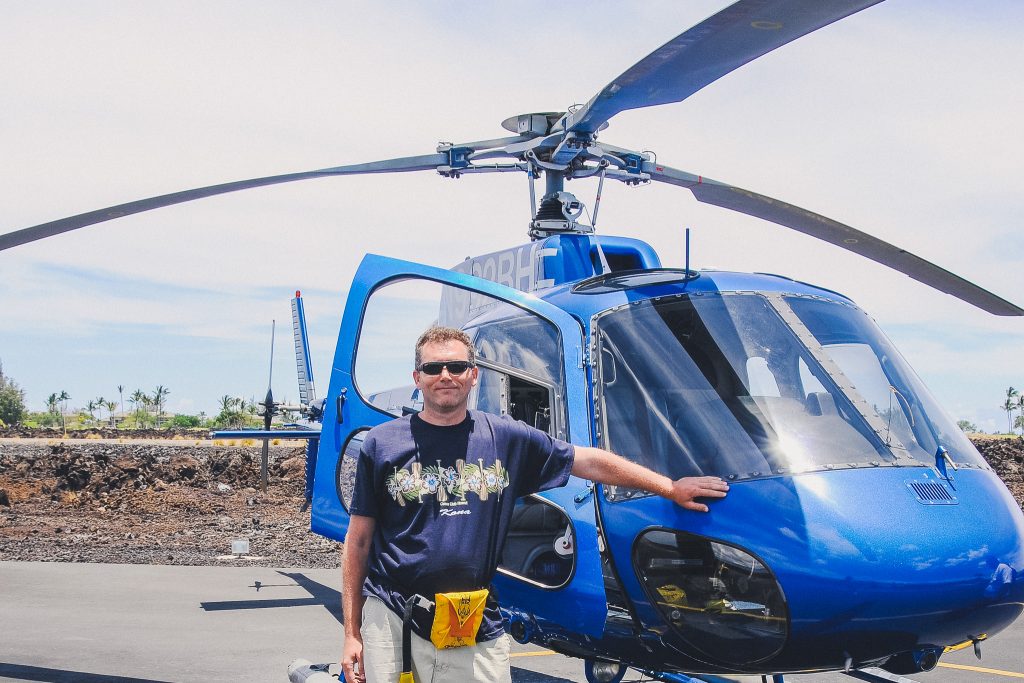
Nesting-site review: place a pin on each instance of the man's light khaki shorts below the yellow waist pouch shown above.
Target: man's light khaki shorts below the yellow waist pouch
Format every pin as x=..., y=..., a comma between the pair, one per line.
x=382, y=654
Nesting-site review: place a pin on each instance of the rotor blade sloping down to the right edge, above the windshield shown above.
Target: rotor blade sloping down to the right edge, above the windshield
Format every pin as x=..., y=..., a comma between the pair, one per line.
x=817, y=226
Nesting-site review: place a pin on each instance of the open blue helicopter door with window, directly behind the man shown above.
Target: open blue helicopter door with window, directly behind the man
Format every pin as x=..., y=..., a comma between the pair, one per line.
x=529, y=354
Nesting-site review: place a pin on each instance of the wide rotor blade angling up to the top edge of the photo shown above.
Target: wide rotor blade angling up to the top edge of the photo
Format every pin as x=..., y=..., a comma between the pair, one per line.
x=705, y=54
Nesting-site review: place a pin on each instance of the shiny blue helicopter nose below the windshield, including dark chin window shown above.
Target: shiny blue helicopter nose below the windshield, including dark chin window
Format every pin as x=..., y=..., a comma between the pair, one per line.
x=839, y=569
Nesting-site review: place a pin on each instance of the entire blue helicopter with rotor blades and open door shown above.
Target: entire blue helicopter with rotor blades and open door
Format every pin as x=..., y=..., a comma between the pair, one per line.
x=787, y=390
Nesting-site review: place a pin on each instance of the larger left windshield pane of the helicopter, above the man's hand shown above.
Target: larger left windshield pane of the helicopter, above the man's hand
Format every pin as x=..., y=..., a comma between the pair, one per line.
x=720, y=385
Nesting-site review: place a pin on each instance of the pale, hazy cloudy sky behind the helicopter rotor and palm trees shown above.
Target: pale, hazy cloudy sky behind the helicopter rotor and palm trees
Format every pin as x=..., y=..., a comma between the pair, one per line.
x=903, y=121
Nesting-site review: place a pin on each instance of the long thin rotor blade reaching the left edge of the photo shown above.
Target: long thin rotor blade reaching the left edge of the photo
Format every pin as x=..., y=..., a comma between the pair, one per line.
x=422, y=163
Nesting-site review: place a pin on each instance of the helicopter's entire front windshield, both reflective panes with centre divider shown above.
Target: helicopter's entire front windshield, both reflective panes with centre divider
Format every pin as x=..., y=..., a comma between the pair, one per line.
x=750, y=386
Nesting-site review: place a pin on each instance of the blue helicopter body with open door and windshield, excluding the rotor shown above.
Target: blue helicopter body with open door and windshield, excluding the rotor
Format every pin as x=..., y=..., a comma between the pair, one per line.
x=861, y=524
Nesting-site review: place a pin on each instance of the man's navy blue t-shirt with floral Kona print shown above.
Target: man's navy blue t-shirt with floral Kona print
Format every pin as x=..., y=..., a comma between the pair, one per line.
x=443, y=499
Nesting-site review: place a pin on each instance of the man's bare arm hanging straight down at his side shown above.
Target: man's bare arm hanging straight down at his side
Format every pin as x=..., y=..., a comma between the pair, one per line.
x=354, y=568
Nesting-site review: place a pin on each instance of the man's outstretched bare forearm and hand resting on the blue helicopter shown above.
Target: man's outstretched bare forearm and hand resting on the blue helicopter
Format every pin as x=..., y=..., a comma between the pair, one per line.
x=607, y=467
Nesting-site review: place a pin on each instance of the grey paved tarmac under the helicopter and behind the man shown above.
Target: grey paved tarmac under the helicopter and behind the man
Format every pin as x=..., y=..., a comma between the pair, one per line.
x=142, y=624
